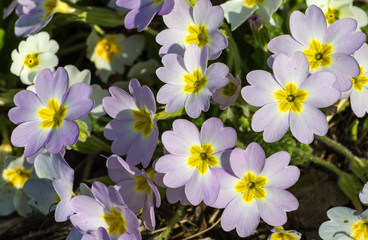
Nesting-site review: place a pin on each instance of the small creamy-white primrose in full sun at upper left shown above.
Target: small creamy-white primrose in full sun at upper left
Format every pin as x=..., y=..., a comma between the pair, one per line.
x=34, y=54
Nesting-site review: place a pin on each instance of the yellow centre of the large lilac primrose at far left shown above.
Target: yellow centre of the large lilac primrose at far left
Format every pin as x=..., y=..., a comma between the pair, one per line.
x=53, y=116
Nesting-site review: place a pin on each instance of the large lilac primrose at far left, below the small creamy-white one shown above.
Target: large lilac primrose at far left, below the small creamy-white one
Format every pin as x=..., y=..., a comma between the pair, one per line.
x=47, y=118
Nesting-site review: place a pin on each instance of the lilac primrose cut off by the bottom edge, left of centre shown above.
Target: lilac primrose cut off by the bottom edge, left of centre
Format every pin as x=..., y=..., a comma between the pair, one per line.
x=107, y=209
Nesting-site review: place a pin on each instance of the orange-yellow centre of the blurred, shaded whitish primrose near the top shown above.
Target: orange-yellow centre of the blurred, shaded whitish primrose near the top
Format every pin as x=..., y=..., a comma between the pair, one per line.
x=107, y=48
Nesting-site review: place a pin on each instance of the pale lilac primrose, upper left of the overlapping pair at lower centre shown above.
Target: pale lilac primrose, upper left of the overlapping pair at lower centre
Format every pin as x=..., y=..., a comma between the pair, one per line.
x=193, y=155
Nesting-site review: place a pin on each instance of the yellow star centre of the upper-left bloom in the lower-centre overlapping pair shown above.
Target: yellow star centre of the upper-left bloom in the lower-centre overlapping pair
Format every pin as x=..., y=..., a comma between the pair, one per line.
x=202, y=157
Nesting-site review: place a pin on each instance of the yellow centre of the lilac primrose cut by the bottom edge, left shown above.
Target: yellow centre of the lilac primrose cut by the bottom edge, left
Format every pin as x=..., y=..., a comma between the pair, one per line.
x=116, y=224
